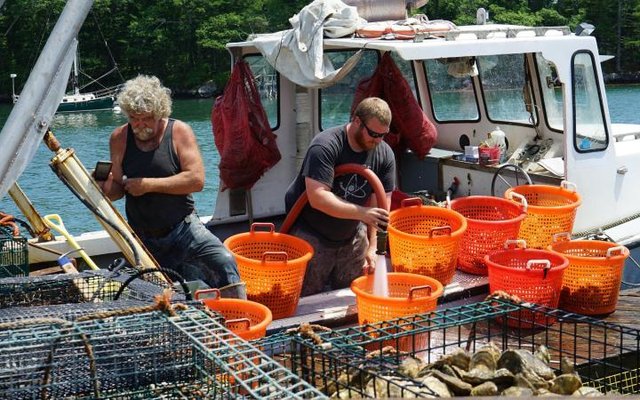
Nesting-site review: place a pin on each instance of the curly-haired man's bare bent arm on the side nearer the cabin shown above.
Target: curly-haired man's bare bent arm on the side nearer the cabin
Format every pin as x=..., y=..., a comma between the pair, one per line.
x=191, y=177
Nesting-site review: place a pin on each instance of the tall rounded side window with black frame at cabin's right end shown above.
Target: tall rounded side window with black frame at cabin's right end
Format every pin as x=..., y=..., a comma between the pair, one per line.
x=589, y=123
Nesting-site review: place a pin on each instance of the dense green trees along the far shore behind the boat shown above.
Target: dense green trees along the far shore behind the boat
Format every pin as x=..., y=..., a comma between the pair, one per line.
x=183, y=41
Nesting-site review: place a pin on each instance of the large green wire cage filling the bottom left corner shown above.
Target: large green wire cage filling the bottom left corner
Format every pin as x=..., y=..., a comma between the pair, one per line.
x=138, y=356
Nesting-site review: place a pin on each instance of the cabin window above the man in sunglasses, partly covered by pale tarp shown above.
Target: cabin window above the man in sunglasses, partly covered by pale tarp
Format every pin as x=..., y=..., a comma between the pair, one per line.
x=335, y=101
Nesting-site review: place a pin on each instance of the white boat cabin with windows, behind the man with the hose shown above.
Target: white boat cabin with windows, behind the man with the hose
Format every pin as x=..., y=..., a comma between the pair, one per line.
x=543, y=87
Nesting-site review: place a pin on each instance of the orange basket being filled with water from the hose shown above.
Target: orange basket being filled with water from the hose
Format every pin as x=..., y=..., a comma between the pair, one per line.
x=409, y=294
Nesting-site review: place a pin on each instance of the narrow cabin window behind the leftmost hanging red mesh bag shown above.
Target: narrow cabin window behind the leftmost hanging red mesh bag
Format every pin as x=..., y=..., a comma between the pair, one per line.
x=266, y=79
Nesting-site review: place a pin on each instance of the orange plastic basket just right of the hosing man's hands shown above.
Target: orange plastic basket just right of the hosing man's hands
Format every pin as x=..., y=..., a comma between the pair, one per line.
x=425, y=239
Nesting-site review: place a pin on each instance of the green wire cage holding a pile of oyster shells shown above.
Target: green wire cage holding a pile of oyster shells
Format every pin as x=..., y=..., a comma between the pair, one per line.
x=353, y=362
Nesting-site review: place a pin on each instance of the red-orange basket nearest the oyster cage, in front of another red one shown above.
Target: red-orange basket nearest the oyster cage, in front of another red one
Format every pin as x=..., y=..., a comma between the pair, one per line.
x=533, y=275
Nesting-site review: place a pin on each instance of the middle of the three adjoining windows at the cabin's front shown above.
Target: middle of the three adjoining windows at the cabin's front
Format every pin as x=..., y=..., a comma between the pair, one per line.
x=505, y=88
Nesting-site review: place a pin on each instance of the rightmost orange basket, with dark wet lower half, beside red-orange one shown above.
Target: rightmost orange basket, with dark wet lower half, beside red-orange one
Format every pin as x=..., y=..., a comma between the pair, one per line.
x=591, y=284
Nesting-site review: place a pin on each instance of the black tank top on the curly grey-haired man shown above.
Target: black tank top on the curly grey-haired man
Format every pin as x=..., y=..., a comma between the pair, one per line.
x=154, y=211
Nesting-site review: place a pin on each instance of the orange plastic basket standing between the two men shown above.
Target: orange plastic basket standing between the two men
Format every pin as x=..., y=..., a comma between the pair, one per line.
x=272, y=265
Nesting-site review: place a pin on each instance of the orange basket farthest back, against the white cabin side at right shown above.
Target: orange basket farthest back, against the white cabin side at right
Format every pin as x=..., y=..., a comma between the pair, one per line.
x=550, y=210
